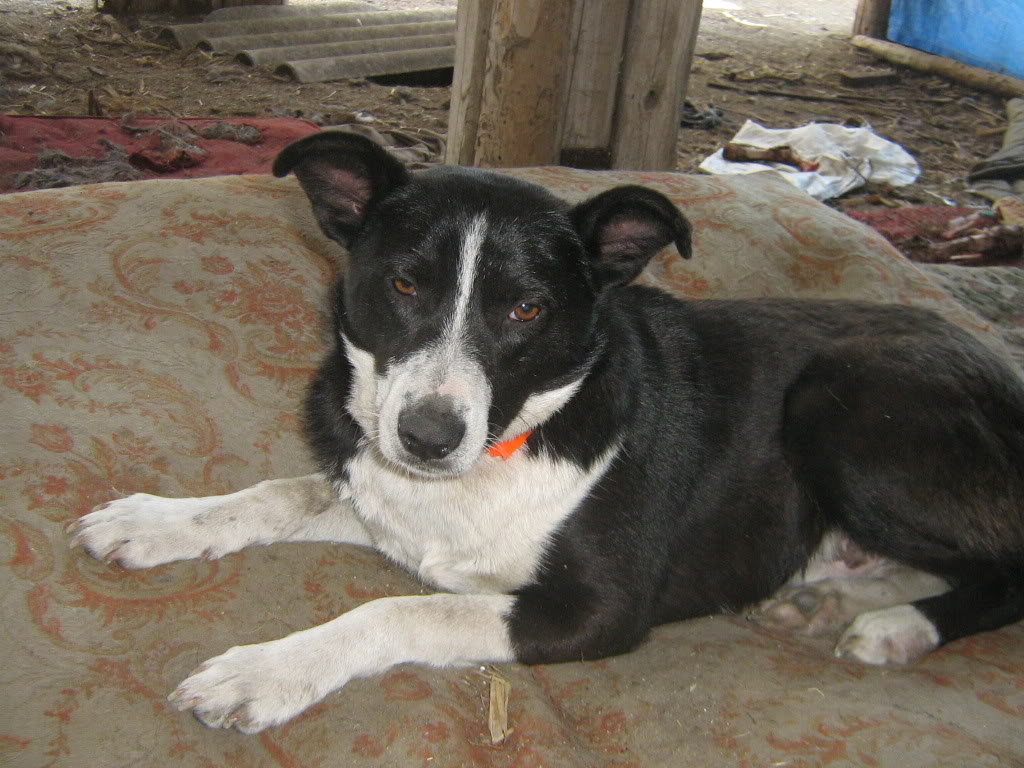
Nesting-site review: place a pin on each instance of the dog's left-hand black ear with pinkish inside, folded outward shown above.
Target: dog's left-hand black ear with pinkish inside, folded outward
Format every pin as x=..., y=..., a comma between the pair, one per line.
x=345, y=176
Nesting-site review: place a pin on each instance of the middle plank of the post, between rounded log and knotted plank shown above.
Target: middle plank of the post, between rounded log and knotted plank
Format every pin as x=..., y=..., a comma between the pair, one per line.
x=600, y=36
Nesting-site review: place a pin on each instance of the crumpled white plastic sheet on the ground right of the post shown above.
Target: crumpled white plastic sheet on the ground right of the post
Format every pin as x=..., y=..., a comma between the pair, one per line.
x=847, y=158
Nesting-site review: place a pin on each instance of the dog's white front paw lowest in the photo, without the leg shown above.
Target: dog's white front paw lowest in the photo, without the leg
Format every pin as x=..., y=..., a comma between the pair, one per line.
x=251, y=688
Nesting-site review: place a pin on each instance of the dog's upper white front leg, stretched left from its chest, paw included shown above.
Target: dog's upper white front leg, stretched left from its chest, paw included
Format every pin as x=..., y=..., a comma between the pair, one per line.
x=143, y=531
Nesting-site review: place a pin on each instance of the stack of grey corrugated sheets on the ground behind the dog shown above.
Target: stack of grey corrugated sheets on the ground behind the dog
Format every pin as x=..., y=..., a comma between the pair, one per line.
x=333, y=41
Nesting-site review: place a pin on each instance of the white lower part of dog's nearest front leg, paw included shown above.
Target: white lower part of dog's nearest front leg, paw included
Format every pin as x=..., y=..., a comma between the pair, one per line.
x=252, y=688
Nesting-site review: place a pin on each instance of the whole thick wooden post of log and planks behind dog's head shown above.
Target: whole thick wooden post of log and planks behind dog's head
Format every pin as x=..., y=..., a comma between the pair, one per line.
x=537, y=81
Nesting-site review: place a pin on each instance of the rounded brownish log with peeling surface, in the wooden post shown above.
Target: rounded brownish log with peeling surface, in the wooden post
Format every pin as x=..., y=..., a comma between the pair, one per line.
x=524, y=102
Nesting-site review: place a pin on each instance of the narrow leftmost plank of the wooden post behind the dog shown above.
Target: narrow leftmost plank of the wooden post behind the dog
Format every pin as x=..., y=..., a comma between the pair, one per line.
x=474, y=28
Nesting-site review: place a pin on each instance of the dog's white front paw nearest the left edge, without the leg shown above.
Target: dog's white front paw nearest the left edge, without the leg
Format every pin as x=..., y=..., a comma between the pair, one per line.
x=143, y=531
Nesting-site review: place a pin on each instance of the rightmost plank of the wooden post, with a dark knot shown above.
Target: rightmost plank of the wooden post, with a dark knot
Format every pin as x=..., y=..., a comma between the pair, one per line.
x=661, y=40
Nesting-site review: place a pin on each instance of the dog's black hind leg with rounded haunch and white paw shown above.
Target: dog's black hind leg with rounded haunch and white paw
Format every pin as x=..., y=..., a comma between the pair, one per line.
x=912, y=446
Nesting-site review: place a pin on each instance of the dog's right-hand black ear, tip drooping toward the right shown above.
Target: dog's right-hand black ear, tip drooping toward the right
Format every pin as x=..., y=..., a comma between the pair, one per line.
x=623, y=228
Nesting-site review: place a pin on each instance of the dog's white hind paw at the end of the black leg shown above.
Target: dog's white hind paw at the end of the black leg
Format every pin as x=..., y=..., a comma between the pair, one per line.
x=891, y=636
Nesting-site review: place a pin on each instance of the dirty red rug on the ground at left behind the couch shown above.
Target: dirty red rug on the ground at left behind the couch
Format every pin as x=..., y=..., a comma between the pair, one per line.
x=139, y=148
